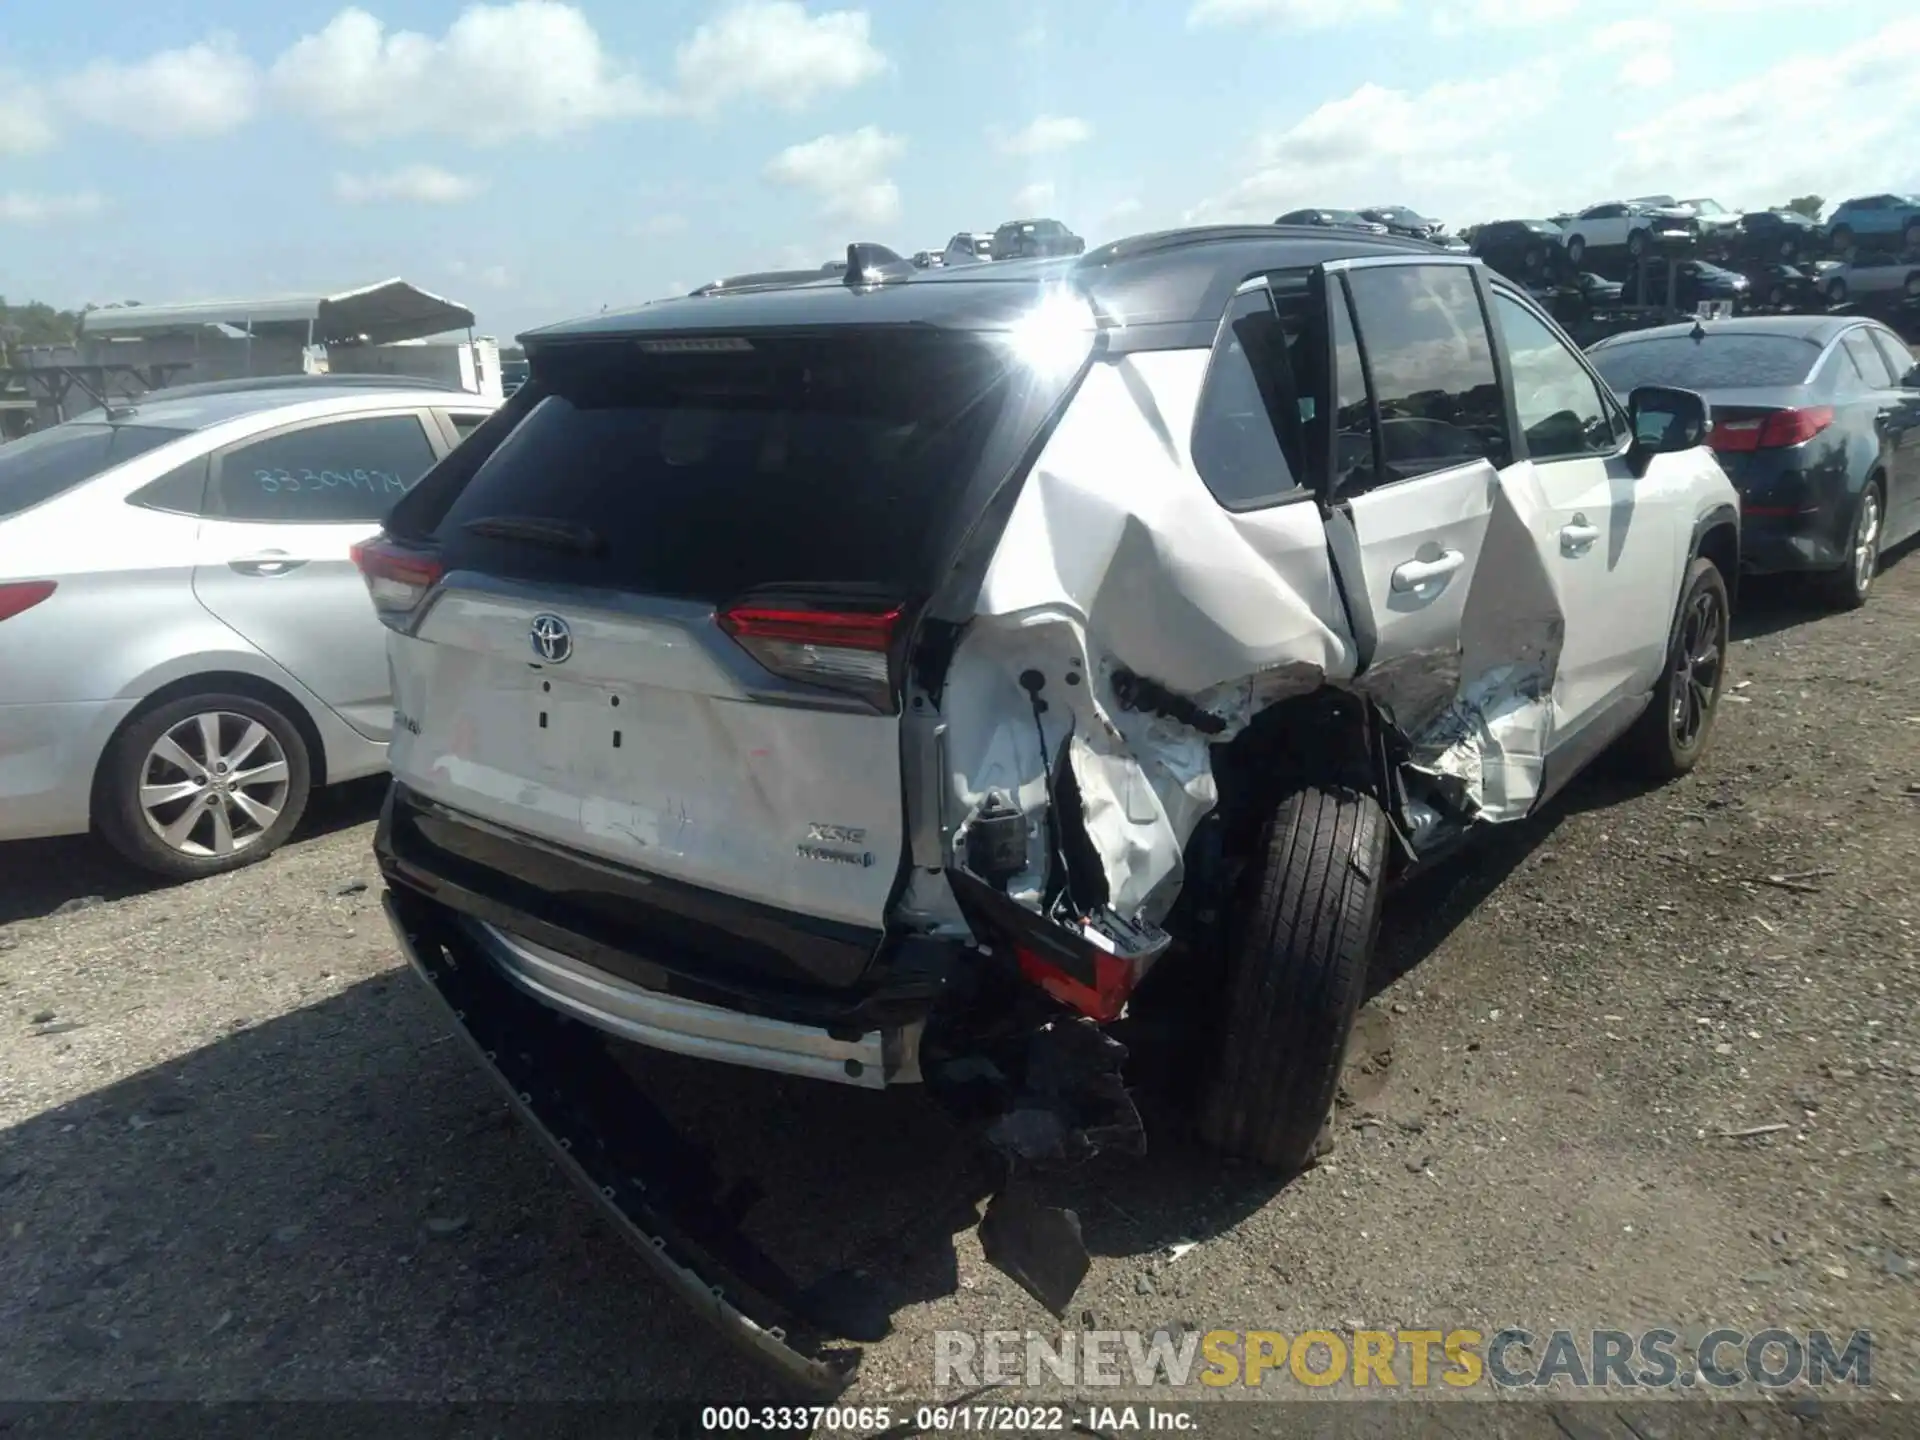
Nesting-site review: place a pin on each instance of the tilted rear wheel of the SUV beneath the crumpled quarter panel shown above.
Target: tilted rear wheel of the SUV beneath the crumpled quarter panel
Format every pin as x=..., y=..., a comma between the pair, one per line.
x=1297, y=972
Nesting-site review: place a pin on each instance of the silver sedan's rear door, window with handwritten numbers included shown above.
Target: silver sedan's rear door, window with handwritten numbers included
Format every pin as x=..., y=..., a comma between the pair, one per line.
x=283, y=512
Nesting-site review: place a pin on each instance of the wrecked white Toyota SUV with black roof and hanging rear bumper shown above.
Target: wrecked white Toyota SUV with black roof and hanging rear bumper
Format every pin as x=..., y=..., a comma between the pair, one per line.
x=926, y=675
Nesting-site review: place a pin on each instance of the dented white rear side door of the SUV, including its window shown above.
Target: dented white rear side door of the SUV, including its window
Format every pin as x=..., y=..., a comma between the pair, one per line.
x=1454, y=615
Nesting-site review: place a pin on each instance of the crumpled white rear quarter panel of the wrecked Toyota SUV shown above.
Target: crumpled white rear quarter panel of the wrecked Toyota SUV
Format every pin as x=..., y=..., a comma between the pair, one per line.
x=1118, y=560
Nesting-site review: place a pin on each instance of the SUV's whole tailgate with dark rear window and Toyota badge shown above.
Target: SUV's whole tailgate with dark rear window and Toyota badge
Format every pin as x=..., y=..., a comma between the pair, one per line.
x=667, y=635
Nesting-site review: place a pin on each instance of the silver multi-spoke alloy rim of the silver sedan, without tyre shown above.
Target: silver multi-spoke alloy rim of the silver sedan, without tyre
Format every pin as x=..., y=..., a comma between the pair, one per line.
x=214, y=784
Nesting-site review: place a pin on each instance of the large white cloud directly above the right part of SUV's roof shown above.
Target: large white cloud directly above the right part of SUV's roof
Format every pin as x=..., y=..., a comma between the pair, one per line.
x=1445, y=147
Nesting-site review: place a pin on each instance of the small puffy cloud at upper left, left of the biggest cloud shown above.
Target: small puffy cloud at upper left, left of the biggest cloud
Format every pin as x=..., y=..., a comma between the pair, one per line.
x=203, y=89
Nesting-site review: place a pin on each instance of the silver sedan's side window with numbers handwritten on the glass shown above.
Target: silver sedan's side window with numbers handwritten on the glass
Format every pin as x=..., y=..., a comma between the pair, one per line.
x=327, y=473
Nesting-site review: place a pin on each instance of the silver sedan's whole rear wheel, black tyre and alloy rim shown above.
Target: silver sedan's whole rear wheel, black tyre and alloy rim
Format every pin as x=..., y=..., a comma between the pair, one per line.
x=203, y=784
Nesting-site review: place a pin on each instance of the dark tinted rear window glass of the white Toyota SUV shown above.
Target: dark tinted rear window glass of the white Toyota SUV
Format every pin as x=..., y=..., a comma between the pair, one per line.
x=704, y=477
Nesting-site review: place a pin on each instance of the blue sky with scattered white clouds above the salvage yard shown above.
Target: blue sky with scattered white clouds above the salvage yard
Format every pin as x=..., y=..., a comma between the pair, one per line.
x=539, y=160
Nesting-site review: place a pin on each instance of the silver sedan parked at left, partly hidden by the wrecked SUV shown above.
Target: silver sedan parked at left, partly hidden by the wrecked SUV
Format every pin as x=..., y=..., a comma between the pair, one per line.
x=185, y=644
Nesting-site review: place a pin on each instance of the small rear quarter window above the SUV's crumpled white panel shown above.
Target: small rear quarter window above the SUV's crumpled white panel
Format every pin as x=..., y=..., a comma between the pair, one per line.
x=1237, y=429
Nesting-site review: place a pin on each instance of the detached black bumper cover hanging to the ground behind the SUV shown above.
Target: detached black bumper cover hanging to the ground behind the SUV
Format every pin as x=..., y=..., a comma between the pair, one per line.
x=658, y=1189
